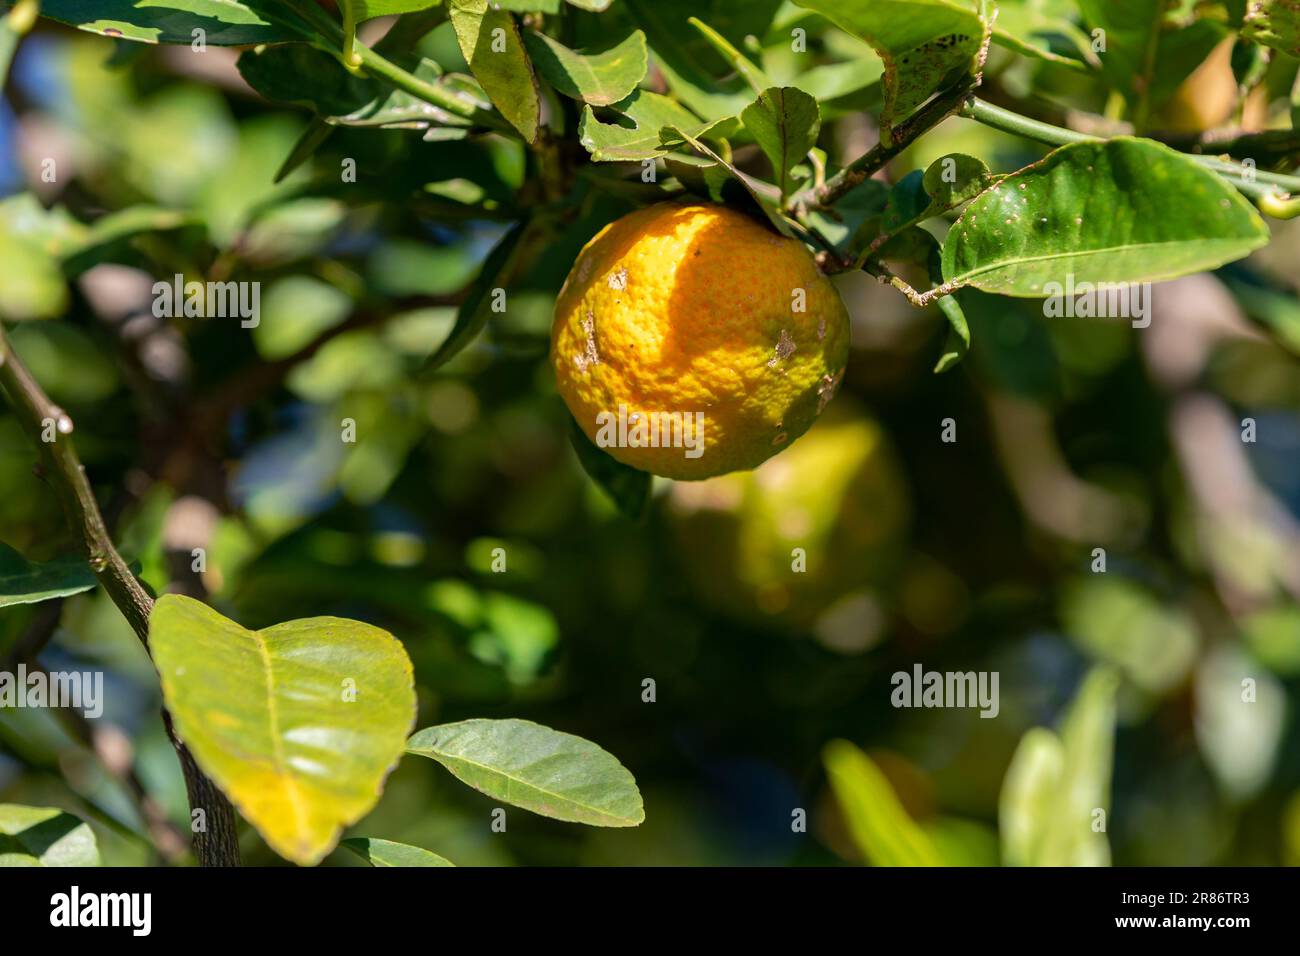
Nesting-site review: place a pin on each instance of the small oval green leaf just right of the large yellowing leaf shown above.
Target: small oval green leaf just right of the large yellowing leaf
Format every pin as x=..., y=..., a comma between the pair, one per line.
x=543, y=771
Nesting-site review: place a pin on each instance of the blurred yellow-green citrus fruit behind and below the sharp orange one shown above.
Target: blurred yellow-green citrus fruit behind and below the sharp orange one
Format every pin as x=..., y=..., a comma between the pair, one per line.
x=839, y=498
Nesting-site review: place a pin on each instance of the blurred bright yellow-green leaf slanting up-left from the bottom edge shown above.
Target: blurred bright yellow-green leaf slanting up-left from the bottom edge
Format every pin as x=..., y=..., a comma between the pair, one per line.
x=877, y=821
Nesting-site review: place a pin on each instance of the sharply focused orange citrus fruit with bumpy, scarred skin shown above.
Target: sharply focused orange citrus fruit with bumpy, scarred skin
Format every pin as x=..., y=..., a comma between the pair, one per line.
x=691, y=341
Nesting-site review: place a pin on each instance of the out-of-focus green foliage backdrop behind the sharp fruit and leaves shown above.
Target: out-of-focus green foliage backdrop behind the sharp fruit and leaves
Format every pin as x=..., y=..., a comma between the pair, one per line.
x=1072, y=436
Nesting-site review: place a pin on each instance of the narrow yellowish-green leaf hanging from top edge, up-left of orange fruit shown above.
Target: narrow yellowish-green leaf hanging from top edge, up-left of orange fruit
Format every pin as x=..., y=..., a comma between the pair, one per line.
x=489, y=41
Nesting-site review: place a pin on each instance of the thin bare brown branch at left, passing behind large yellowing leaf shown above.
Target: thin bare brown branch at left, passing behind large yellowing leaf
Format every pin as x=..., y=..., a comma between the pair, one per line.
x=42, y=419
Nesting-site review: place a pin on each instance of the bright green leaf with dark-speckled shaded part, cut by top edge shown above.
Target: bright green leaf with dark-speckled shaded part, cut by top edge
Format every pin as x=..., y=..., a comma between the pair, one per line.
x=926, y=45
